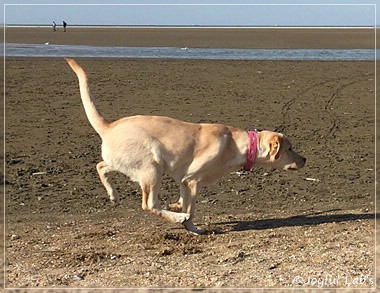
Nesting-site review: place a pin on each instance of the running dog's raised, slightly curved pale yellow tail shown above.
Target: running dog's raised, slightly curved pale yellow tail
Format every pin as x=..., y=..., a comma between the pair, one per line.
x=96, y=119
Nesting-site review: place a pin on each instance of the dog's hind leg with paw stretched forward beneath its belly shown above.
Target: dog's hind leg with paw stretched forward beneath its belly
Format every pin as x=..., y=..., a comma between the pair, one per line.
x=150, y=185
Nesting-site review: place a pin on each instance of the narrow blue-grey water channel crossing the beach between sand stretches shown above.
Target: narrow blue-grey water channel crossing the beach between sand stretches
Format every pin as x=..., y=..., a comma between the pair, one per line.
x=52, y=50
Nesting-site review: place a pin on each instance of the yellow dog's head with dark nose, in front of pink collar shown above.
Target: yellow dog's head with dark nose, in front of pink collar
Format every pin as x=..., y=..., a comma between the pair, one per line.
x=275, y=150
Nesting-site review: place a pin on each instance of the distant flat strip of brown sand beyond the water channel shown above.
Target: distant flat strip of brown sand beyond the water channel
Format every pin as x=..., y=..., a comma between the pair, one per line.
x=255, y=38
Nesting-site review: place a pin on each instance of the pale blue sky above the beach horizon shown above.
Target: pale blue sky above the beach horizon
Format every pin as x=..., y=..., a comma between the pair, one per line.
x=283, y=13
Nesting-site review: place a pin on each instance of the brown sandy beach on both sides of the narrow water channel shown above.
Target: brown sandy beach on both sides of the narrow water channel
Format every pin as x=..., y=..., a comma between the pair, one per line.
x=266, y=228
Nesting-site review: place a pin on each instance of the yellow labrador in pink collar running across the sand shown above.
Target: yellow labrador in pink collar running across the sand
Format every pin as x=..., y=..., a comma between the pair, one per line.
x=195, y=155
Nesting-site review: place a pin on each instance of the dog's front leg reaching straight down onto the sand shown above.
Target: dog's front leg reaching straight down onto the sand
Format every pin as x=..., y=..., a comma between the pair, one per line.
x=189, y=192
